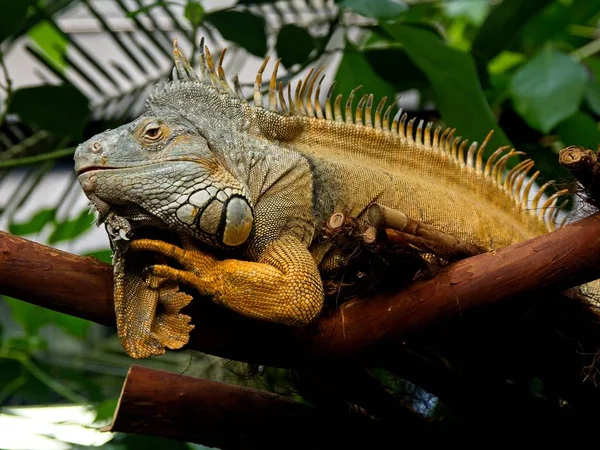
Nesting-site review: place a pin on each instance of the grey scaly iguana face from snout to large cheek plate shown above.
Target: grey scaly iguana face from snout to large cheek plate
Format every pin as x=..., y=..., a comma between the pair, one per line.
x=166, y=169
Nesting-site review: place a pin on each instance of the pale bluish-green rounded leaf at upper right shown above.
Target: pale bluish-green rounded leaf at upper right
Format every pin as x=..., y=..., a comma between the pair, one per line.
x=548, y=89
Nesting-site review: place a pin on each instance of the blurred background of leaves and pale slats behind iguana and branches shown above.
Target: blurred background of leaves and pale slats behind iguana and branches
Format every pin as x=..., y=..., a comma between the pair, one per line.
x=69, y=69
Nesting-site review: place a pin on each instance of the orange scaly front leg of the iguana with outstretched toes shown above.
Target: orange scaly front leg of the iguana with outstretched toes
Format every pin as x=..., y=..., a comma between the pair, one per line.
x=284, y=286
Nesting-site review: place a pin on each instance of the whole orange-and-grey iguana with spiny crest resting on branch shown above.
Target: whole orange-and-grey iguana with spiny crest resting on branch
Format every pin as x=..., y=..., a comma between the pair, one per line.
x=257, y=183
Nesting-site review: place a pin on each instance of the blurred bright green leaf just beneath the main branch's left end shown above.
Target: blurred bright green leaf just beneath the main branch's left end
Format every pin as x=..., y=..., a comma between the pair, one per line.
x=32, y=318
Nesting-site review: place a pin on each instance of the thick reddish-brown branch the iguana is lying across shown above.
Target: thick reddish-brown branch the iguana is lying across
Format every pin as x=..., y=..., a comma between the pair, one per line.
x=83, y=287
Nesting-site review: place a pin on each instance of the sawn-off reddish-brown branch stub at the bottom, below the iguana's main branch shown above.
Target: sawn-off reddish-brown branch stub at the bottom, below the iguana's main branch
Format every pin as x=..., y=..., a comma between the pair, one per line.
x=216, y=414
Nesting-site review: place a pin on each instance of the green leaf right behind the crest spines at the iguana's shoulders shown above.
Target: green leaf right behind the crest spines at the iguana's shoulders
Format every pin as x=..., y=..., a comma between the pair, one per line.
x=354, y=70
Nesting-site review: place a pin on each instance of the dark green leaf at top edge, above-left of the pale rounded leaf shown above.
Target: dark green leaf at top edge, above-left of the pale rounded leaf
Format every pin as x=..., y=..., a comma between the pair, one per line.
x=500, y=29
